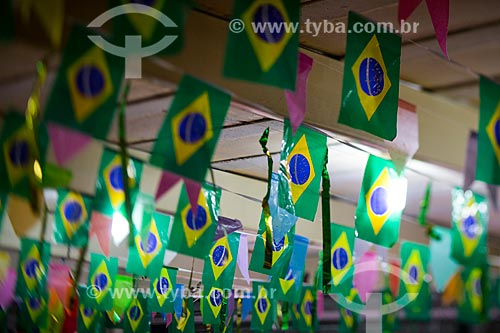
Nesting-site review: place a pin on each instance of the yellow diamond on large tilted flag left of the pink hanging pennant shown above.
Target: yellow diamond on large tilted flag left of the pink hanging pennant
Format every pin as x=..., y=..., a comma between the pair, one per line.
x=192, y=128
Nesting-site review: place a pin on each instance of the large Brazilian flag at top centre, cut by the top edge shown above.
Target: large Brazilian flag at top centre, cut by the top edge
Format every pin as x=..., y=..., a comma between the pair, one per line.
x=268, y=47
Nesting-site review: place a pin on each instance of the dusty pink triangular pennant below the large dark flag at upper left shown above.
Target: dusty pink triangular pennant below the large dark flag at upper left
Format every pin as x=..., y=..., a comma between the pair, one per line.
x=66, y=143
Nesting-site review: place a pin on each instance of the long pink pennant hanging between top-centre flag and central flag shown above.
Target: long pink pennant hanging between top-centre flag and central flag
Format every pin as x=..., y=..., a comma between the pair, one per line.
x=297, y=101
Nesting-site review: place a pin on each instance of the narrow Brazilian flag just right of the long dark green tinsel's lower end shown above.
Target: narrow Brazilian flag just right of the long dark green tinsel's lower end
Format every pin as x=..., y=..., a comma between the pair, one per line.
x=342, y=268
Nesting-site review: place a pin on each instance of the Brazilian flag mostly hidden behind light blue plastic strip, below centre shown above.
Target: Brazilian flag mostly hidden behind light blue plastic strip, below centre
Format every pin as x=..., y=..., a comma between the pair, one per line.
x=281, y=254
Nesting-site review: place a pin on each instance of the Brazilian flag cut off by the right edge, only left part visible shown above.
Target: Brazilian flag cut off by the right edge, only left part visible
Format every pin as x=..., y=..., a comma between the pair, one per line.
x=488, y=139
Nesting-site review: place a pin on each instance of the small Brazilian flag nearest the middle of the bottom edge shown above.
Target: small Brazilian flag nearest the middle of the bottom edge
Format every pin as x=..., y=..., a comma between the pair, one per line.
x=263, y=308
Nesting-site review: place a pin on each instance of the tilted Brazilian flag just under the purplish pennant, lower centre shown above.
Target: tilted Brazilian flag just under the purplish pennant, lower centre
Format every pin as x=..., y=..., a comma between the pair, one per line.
x=220, y=263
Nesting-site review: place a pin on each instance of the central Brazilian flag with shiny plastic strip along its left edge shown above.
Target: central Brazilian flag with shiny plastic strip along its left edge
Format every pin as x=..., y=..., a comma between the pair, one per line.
x=302, y=159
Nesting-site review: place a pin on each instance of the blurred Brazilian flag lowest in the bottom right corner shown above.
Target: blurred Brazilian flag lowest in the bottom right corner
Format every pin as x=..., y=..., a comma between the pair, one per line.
x=470, y=305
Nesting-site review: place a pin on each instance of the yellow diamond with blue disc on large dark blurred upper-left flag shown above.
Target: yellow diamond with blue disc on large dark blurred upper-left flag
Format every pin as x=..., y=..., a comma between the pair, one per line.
x=89, y=83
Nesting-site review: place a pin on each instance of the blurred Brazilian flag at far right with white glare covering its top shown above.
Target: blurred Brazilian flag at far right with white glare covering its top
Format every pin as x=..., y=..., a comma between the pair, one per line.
x=469, y=228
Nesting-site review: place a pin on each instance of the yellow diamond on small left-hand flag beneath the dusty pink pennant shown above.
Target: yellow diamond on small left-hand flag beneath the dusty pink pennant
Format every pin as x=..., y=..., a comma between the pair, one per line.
x=73, y=213
